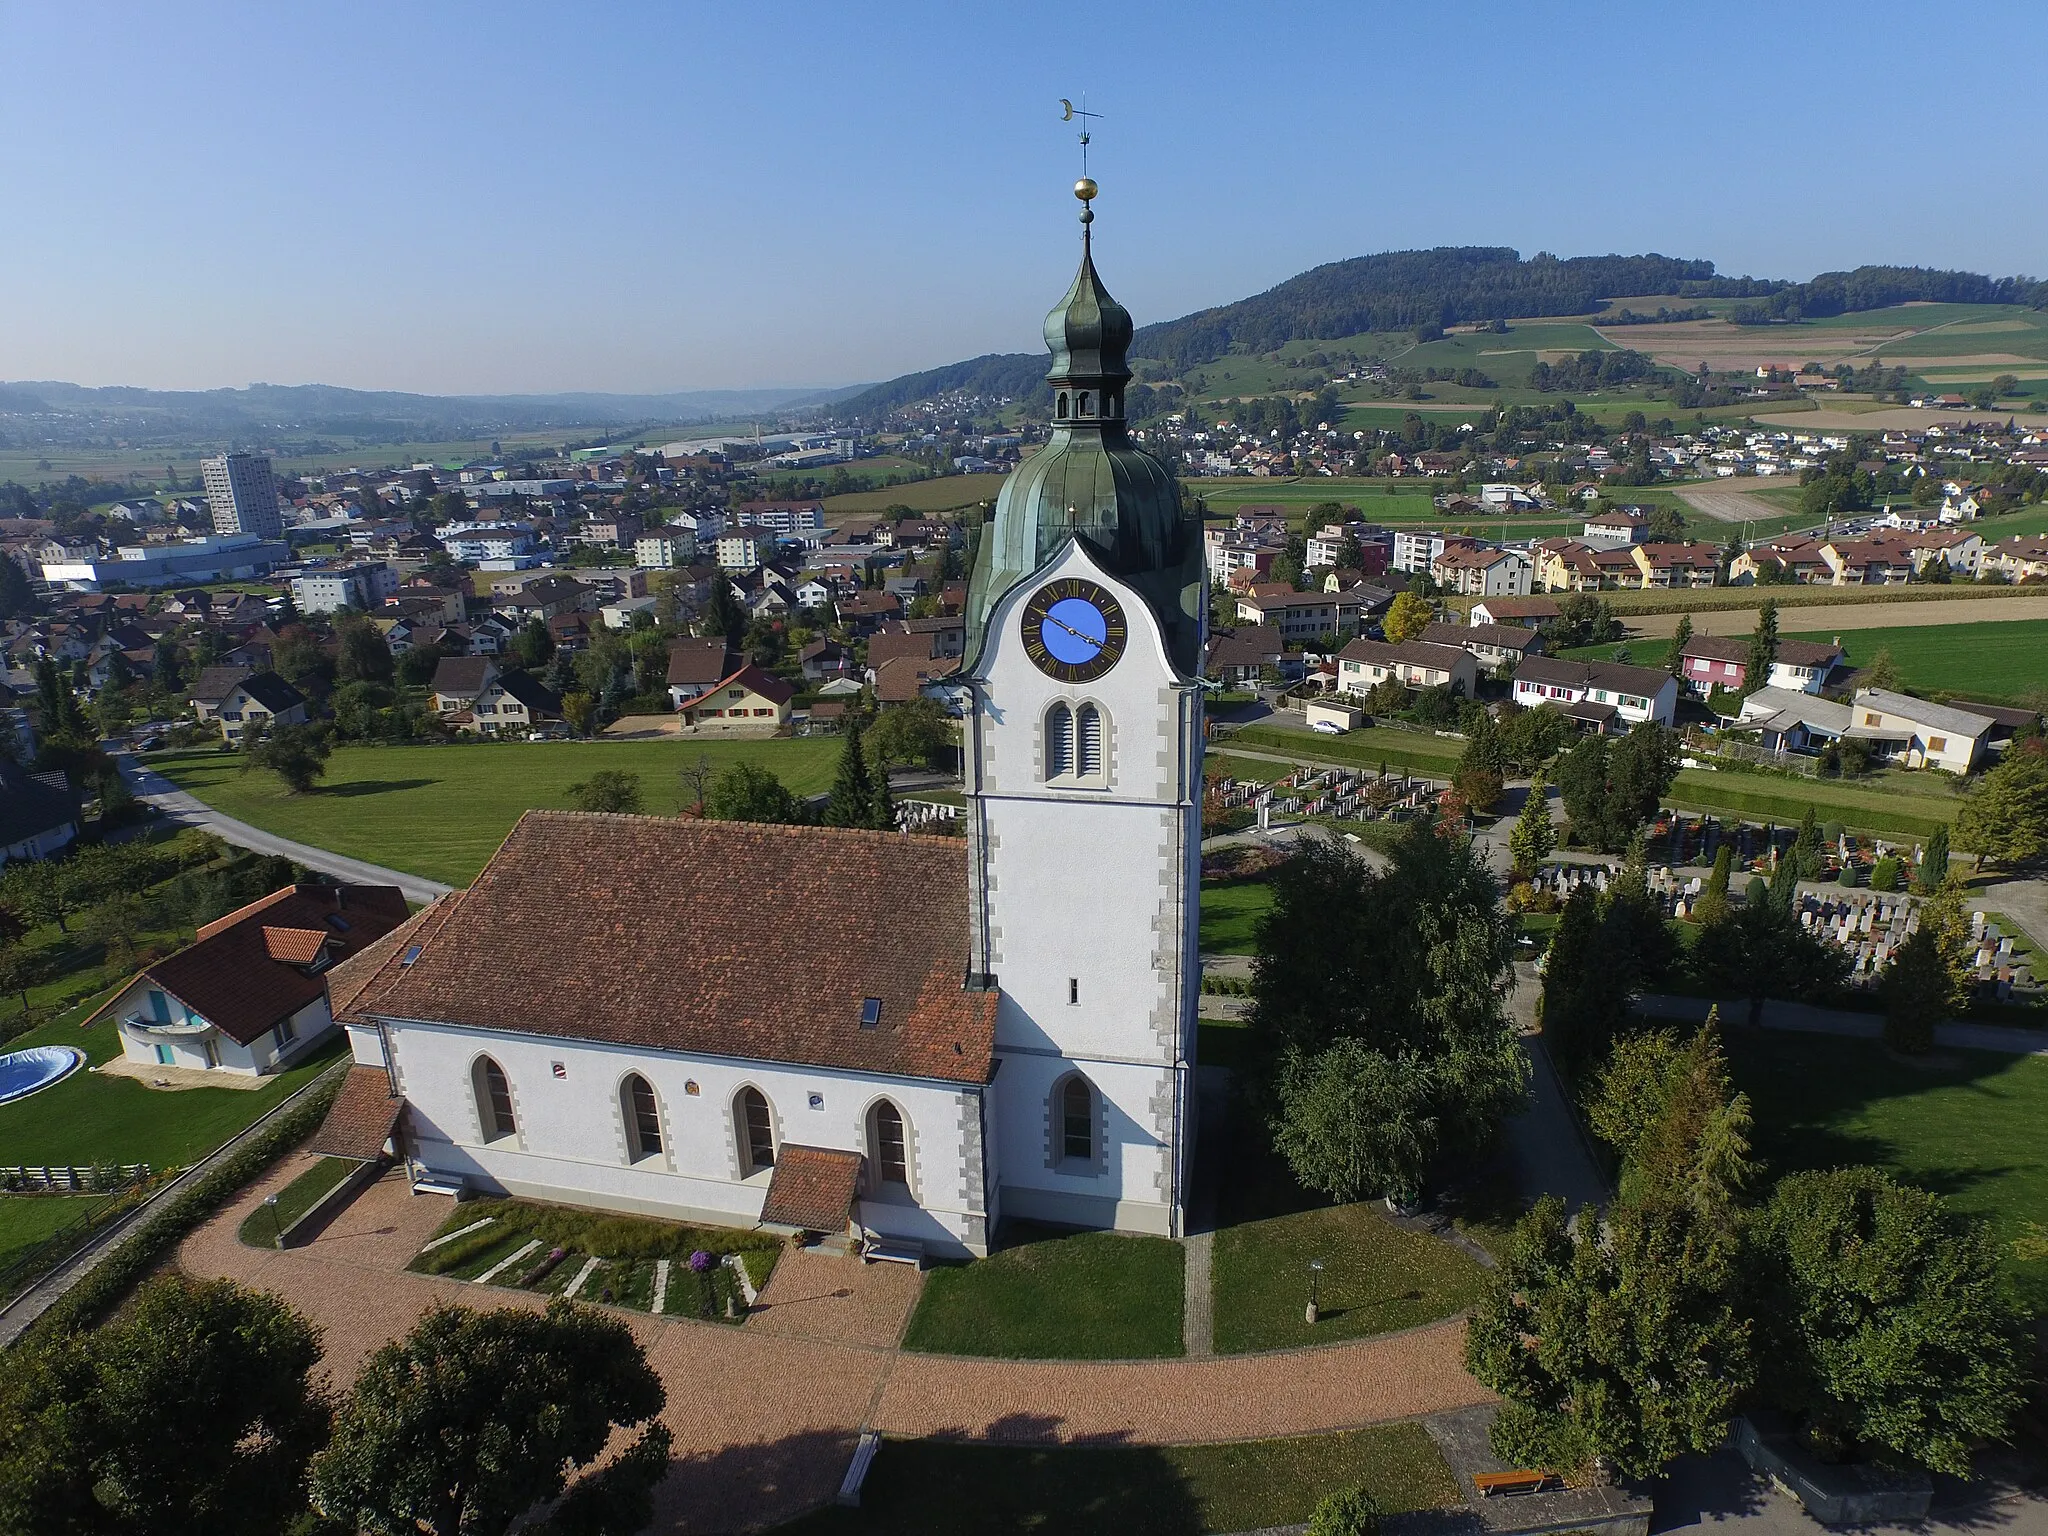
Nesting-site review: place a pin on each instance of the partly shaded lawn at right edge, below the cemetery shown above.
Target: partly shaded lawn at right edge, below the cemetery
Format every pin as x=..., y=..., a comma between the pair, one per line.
x=1961, y=1123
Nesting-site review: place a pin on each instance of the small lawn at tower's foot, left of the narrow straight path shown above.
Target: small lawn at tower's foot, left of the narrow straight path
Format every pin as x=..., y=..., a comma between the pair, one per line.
x=1056, y=1297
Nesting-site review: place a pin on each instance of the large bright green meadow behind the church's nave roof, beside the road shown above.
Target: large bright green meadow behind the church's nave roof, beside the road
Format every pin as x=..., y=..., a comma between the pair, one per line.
x=441, y=812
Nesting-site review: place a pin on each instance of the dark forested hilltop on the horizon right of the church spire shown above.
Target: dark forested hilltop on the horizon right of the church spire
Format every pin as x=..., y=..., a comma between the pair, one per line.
x=1402, y=290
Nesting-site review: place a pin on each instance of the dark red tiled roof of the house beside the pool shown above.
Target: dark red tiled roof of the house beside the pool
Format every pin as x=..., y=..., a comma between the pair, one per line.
x=230, y=974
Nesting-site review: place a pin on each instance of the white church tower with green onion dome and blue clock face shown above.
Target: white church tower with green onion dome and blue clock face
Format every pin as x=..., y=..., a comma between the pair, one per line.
x=1084, y=781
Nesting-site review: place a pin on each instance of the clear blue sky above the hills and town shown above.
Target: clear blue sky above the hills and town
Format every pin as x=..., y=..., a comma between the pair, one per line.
x=513, y=198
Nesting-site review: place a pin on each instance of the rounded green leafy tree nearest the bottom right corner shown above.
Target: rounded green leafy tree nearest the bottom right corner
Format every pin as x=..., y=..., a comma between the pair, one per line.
x=1885, y=1320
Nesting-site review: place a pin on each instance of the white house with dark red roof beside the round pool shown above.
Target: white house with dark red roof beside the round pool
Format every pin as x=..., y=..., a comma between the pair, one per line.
x=251, y=994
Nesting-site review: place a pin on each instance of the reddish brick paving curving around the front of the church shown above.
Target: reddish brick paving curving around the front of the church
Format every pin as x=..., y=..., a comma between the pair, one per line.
x=767, y=1414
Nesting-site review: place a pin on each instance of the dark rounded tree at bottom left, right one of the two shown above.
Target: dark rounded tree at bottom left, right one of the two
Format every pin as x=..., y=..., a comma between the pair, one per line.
x=476, y=1418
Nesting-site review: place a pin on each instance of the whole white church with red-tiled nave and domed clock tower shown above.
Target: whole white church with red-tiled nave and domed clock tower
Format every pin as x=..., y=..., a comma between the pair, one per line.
x=894, y=1037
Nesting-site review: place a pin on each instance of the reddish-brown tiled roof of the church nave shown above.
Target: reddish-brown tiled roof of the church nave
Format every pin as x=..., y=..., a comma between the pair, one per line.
x=710, y=937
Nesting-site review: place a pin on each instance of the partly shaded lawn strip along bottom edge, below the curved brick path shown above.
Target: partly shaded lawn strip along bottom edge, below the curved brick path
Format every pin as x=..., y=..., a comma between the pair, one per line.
x=931, y=1486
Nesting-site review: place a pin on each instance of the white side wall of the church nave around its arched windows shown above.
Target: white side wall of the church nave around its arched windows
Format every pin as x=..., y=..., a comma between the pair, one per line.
x=570, y=1142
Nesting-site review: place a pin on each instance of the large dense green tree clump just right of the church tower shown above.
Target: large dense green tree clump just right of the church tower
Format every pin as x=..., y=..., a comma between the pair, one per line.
x=1385, y=992
